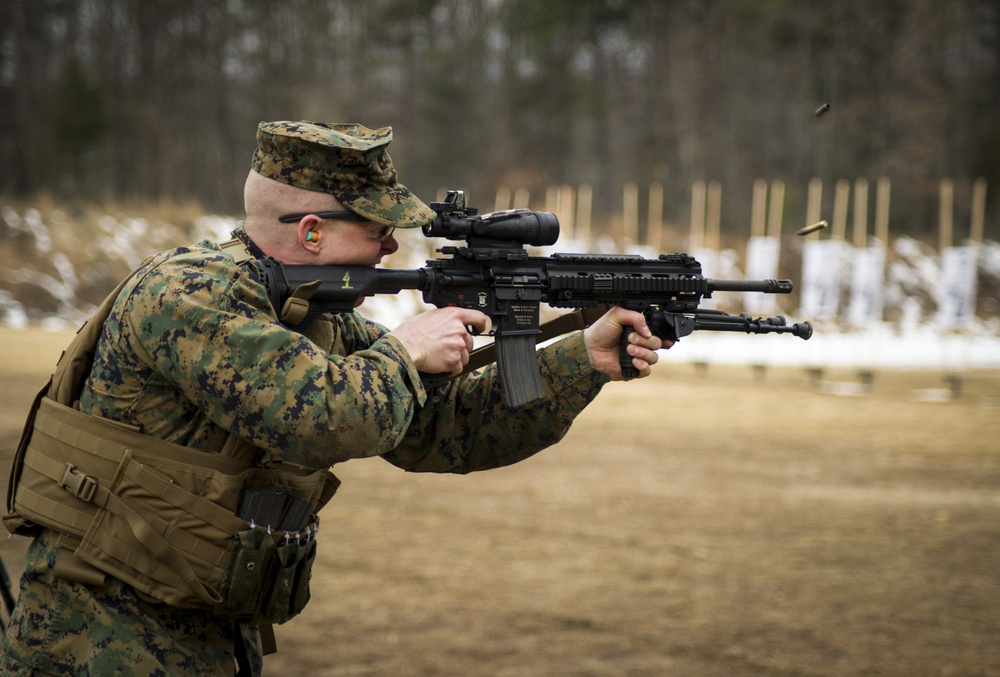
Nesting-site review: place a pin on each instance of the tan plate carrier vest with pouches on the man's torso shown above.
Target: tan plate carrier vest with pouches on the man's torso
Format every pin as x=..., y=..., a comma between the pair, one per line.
x=159, y=516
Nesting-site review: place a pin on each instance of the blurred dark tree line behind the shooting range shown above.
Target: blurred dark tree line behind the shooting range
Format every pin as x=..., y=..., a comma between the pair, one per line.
x=159, y=99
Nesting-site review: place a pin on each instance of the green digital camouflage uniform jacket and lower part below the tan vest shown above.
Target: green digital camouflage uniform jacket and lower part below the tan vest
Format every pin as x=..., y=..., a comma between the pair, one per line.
x=193, y=350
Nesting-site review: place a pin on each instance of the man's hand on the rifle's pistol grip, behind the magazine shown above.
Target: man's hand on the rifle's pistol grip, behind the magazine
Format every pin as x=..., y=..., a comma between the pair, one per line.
x=438, y=341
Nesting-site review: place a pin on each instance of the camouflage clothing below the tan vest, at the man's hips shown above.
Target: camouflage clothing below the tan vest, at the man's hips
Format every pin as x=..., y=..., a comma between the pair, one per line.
x=65, y=628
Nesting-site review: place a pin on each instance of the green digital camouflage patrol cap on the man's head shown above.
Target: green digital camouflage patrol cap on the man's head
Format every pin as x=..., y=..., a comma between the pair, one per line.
x=348, y=161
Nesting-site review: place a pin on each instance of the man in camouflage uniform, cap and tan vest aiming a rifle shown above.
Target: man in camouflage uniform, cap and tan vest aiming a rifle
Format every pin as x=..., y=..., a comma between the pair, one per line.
x=193, y=369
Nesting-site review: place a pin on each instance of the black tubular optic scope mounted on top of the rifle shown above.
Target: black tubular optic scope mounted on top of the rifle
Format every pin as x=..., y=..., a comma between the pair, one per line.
x=513, y=225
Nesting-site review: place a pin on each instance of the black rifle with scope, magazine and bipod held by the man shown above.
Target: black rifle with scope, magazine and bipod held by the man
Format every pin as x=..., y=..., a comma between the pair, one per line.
x=494, y=273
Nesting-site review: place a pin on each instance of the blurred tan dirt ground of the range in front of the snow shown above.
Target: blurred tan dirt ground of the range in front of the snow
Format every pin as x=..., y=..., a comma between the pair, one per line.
x=706, y=523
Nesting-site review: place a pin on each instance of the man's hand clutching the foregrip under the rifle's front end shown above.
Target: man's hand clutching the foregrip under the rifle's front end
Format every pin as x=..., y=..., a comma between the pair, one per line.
x=601, y=340
